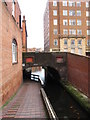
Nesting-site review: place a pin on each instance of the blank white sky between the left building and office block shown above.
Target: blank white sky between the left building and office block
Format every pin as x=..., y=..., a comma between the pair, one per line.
x=34, y=11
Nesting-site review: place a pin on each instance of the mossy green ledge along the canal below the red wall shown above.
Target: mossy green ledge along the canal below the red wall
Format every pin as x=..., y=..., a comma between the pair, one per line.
x=77, y=95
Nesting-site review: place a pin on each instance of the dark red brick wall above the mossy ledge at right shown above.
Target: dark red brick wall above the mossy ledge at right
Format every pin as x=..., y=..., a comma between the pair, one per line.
x=78, y=72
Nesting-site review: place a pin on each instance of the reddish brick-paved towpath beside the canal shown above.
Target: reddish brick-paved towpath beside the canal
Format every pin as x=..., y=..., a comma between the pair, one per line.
x=27, y=103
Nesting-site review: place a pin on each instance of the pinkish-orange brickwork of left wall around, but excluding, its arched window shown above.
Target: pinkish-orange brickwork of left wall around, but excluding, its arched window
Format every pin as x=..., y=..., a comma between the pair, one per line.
x=11, y=74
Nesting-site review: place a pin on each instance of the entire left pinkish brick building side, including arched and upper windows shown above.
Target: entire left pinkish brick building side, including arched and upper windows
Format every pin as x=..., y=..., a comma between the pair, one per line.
x=10, y=49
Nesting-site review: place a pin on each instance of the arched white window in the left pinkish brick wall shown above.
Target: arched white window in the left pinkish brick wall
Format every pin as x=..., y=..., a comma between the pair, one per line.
x=14, y=51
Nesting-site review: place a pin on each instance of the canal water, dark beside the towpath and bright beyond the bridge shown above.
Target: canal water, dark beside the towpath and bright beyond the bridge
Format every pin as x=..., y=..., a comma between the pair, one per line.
x=64, y=105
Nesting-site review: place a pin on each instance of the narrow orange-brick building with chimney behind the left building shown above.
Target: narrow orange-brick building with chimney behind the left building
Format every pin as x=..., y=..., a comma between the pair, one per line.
x=24, y=35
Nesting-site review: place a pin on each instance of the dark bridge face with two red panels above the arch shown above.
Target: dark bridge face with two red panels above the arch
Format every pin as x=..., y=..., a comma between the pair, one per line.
x=54, y=61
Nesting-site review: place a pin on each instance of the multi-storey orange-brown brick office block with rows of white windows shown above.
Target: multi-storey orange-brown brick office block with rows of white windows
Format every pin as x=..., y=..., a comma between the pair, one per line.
x=67, y=26
